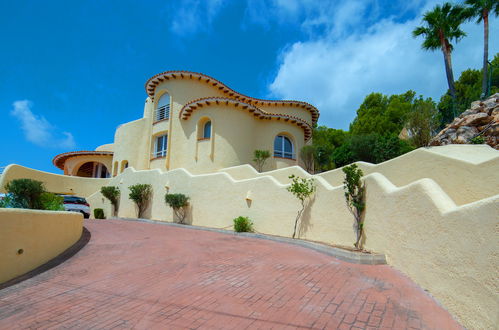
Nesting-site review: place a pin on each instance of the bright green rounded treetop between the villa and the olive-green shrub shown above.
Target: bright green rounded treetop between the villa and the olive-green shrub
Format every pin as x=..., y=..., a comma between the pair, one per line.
x=381, y=114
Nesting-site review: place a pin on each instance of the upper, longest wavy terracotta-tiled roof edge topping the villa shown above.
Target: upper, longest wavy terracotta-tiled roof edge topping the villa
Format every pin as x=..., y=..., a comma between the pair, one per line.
x=155, y=80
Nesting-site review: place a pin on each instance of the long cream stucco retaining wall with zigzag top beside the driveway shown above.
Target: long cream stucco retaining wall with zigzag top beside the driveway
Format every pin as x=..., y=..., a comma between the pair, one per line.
x=449, y=250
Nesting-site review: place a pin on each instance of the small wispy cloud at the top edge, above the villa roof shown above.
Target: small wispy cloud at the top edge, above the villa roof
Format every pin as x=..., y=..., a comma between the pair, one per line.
x=191, y=16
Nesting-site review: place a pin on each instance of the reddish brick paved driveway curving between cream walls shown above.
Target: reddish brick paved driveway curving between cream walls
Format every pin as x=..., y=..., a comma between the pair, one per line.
x=144, y=276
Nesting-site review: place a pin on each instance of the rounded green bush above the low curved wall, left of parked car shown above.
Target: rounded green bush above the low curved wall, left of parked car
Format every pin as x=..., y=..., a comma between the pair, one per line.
x=25, y=193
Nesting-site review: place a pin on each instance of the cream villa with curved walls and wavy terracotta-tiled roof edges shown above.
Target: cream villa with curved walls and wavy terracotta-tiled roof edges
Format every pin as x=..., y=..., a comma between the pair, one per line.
x=196, y=122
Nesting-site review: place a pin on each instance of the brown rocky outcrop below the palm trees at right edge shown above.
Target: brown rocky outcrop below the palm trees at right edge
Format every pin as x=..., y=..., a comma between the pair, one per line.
x=482, y=119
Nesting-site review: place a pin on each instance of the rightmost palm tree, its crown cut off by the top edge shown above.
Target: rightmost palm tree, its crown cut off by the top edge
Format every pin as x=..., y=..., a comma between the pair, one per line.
x=480, y=9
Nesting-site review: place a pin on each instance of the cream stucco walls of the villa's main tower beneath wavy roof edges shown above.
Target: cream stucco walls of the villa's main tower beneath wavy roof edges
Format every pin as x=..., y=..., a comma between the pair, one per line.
x=235, y=136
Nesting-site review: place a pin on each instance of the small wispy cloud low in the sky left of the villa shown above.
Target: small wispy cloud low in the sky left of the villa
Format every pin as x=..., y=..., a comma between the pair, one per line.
x=38, y=130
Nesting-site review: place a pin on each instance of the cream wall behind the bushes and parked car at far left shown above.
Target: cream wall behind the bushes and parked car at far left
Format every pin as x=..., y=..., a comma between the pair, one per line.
x=61, y=184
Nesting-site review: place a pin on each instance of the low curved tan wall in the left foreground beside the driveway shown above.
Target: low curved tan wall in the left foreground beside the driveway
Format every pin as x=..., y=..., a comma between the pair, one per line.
x=30, y=238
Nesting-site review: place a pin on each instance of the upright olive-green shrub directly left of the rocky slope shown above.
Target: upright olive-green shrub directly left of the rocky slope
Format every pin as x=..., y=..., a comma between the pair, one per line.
x=423, y=121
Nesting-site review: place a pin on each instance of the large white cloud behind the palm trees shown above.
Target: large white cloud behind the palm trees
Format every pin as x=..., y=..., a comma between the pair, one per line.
x=337, y=69
